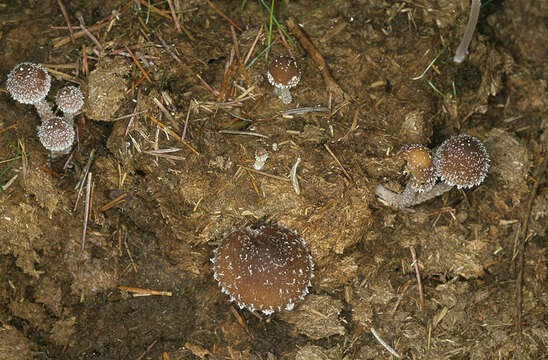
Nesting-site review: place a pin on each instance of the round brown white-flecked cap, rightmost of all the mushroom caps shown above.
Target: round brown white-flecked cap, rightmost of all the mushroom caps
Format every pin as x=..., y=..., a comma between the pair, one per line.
x=462, y=161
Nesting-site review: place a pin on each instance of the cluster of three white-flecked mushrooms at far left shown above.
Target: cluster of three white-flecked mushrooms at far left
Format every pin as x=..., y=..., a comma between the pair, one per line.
x=30, y=83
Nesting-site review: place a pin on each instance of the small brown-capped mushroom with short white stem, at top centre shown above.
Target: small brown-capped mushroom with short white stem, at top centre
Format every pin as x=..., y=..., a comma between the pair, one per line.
x=283, y=73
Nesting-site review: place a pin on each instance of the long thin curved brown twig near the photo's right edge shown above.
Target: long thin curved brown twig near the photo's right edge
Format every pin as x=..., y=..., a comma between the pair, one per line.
x=539, y=172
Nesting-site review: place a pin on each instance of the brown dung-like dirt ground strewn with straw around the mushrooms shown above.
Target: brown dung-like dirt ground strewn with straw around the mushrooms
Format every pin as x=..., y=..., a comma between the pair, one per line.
x=169, y=129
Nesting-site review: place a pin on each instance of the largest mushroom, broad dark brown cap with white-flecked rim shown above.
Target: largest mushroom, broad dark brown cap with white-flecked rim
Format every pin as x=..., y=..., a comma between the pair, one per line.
x=266, y=269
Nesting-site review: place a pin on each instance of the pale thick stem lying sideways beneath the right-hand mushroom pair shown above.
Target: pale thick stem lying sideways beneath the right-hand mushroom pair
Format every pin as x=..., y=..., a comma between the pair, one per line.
x=410, y=197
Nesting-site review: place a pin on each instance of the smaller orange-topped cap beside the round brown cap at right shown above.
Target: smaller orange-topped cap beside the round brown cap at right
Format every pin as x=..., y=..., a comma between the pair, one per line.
x=420, y=166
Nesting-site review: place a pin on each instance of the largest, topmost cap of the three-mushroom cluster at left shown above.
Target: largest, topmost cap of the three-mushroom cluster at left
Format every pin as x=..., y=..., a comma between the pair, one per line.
x=28, y=83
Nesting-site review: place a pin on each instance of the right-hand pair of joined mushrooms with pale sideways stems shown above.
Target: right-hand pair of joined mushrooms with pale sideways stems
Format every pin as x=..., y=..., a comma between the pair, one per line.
x=460, y=161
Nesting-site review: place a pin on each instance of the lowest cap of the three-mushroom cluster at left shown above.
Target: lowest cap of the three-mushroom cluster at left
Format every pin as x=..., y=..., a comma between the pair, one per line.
x=56, y=134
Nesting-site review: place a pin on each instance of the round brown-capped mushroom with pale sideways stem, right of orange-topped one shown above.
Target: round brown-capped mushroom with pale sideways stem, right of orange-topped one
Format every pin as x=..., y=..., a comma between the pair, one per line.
x=460, y=161
